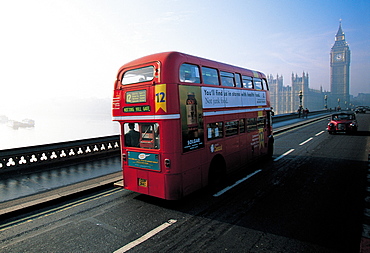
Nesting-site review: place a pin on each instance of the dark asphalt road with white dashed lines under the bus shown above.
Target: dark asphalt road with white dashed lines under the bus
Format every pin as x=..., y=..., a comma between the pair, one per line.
x=309, y=199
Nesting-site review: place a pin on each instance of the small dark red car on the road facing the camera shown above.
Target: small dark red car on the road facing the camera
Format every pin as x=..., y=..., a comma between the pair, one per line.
x=342, y=122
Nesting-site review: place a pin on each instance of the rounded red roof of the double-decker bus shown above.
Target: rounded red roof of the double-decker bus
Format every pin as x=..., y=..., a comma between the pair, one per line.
x=177, y=58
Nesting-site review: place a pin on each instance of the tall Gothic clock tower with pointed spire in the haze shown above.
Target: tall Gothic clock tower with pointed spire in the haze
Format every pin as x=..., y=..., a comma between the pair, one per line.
x=339, y=70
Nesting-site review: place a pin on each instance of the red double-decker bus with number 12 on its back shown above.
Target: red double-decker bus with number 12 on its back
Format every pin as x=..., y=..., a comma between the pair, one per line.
x=186, y=122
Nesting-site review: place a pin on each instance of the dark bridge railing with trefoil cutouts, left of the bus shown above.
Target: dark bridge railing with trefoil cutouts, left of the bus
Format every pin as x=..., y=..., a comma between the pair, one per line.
x=63, y=152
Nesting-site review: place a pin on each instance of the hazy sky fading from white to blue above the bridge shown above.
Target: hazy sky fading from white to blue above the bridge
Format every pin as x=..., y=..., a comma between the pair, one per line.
x=56, y=48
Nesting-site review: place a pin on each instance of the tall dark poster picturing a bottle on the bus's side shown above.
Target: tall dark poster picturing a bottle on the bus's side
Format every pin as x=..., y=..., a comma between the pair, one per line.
x=191, y=117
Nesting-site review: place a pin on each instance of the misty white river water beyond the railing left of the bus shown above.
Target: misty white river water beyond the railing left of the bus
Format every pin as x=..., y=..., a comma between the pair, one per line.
x=53, y=129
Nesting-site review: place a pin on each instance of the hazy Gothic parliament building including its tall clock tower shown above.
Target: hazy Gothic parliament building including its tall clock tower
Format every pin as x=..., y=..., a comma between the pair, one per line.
x=287, y=99
